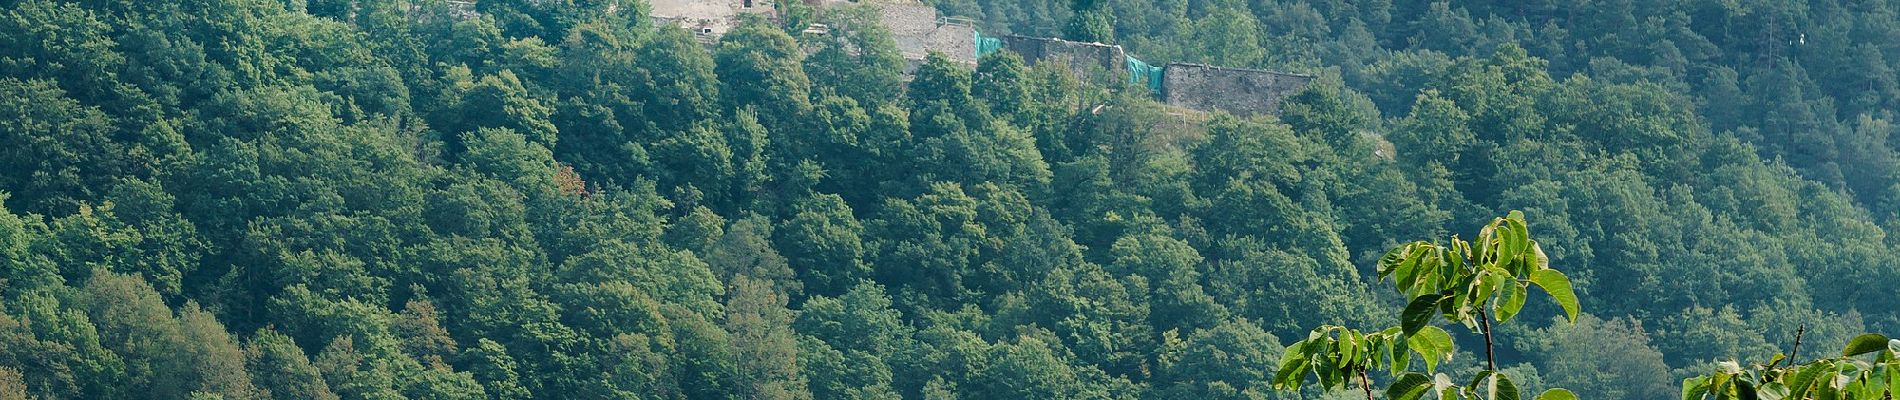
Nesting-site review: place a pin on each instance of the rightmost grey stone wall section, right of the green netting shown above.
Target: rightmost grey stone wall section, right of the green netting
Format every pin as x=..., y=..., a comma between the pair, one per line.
x=1240, y=92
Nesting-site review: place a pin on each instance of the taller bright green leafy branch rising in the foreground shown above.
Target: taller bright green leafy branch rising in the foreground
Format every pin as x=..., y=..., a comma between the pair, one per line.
x=1472, y=283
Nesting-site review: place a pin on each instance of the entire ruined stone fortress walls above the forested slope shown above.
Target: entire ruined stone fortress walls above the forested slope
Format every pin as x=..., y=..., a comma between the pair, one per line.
x=921, y=31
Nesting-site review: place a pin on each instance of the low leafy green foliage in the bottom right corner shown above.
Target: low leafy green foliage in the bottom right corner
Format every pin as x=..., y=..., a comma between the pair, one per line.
x=1850, y=376
